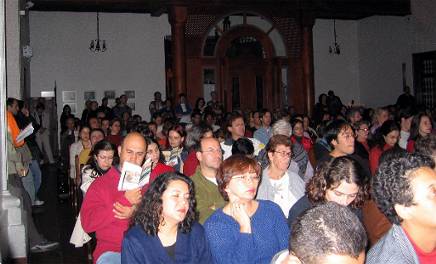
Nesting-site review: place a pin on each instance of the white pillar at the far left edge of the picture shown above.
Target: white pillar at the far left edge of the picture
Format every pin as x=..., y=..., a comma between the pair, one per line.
x=12, y=230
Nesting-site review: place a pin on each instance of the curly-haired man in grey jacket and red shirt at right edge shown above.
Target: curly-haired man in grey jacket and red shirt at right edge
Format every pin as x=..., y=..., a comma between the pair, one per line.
x=404, y=189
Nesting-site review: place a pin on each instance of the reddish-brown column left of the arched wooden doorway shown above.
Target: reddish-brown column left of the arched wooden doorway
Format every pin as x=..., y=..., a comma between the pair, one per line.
x=177, y=18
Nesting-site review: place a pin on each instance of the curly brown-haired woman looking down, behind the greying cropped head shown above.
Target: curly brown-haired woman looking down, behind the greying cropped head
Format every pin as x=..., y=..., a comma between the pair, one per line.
x=340, y=180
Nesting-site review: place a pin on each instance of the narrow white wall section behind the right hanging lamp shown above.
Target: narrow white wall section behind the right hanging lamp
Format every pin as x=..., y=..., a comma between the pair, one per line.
x=339, y=73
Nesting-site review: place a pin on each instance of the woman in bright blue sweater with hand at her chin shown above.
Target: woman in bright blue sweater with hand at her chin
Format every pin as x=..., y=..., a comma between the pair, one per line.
x=245, y=230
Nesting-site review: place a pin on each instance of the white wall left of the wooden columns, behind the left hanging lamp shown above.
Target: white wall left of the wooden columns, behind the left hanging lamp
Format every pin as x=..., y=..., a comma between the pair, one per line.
x=134, y=59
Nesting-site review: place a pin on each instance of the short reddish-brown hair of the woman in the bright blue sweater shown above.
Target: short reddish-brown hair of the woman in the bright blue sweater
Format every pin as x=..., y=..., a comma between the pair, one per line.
x=234, y=165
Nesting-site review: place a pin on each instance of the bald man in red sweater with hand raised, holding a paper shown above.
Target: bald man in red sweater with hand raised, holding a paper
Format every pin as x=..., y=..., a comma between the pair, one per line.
x=105, y=210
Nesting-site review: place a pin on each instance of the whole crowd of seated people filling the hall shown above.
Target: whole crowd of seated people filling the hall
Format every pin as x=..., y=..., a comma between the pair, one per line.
x=257, y=187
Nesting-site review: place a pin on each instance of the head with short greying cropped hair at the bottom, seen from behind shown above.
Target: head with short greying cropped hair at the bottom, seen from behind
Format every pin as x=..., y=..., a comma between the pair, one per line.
x=328, y=234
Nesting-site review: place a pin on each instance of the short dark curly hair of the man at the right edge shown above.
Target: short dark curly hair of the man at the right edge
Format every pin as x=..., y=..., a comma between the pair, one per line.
x=392, y=183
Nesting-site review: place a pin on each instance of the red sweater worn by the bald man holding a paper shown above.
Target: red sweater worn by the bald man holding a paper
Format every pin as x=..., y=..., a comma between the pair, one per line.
x=97, y=215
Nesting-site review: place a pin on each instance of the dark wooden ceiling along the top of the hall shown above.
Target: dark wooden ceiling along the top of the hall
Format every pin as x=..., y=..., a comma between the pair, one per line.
x=340, y=9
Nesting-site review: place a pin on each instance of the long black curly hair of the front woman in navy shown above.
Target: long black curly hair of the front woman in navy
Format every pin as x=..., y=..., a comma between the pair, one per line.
x=149, y=212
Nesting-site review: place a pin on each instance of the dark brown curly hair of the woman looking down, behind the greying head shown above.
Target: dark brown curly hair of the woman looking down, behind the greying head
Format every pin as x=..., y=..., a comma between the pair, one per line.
x=330, y=174
